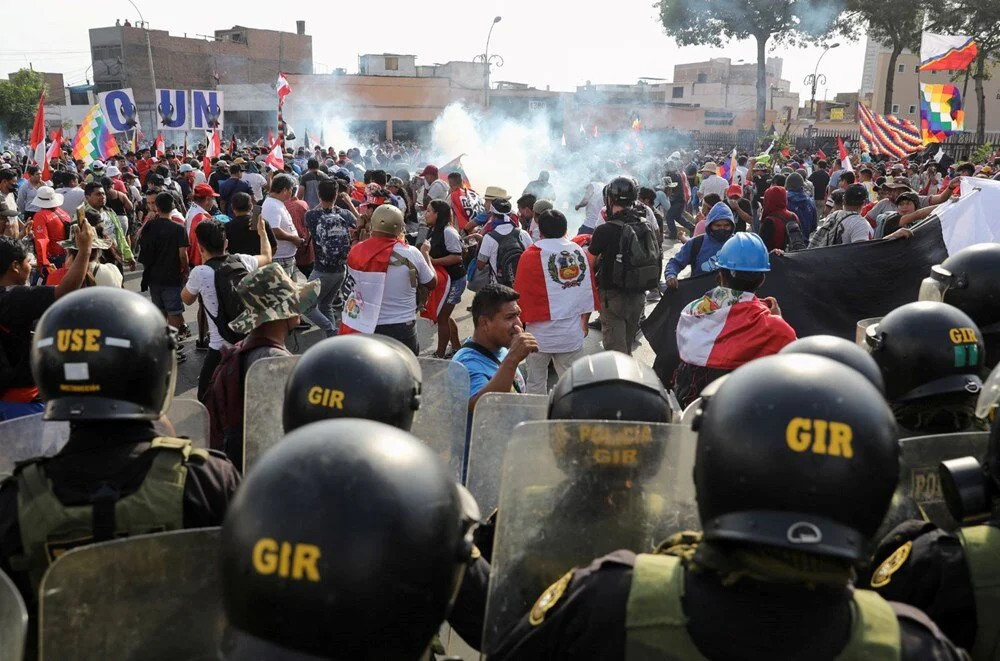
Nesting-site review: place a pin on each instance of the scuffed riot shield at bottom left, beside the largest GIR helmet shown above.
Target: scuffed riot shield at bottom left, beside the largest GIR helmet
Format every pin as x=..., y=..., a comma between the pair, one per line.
x=148, y=597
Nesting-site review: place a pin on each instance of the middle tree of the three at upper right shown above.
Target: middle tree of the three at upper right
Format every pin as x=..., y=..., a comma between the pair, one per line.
x=889, y=24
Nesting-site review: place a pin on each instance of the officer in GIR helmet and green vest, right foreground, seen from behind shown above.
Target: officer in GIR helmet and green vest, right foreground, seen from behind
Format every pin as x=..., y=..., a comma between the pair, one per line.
x=770, y=577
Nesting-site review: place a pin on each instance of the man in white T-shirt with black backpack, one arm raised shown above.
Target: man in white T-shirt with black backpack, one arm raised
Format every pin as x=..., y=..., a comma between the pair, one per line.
x=211, y=237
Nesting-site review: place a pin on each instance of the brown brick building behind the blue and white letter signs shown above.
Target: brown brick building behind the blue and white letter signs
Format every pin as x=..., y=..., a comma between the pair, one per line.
x=237, y=55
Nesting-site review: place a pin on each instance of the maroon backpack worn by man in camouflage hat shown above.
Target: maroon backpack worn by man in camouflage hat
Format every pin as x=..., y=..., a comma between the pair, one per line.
x=224, y=397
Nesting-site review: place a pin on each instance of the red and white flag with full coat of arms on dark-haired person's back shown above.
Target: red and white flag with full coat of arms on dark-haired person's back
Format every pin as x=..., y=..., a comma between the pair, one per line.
x=556, y=281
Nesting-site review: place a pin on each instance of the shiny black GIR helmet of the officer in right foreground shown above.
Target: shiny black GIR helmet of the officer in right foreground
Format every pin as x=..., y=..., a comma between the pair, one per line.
x=781, y=443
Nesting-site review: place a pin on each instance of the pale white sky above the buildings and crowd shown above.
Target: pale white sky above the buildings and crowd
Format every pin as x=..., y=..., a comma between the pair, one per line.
x=558, y=43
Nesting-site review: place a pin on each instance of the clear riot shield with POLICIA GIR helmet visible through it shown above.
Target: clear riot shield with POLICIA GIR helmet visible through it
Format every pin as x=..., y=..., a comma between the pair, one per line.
x=572, y=491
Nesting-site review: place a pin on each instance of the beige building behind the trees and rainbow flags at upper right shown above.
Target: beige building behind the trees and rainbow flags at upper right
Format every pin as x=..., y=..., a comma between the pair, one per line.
x=905, y=93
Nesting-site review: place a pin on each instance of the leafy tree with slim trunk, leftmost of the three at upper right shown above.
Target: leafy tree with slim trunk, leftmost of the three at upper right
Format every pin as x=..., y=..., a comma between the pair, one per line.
x=693, y=23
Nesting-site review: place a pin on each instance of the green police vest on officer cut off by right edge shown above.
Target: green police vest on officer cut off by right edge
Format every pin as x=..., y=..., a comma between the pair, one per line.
x=982, y=555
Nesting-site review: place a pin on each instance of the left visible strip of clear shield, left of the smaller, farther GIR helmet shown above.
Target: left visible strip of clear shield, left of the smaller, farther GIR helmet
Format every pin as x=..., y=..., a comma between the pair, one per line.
x=263, y=400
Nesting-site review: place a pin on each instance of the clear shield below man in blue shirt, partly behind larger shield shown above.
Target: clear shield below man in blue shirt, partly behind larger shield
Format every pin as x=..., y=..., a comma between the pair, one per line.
x=493, y=422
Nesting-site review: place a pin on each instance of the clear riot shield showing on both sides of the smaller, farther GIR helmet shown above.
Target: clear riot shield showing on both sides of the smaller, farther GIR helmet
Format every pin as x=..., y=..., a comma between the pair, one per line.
x=440, y=422
